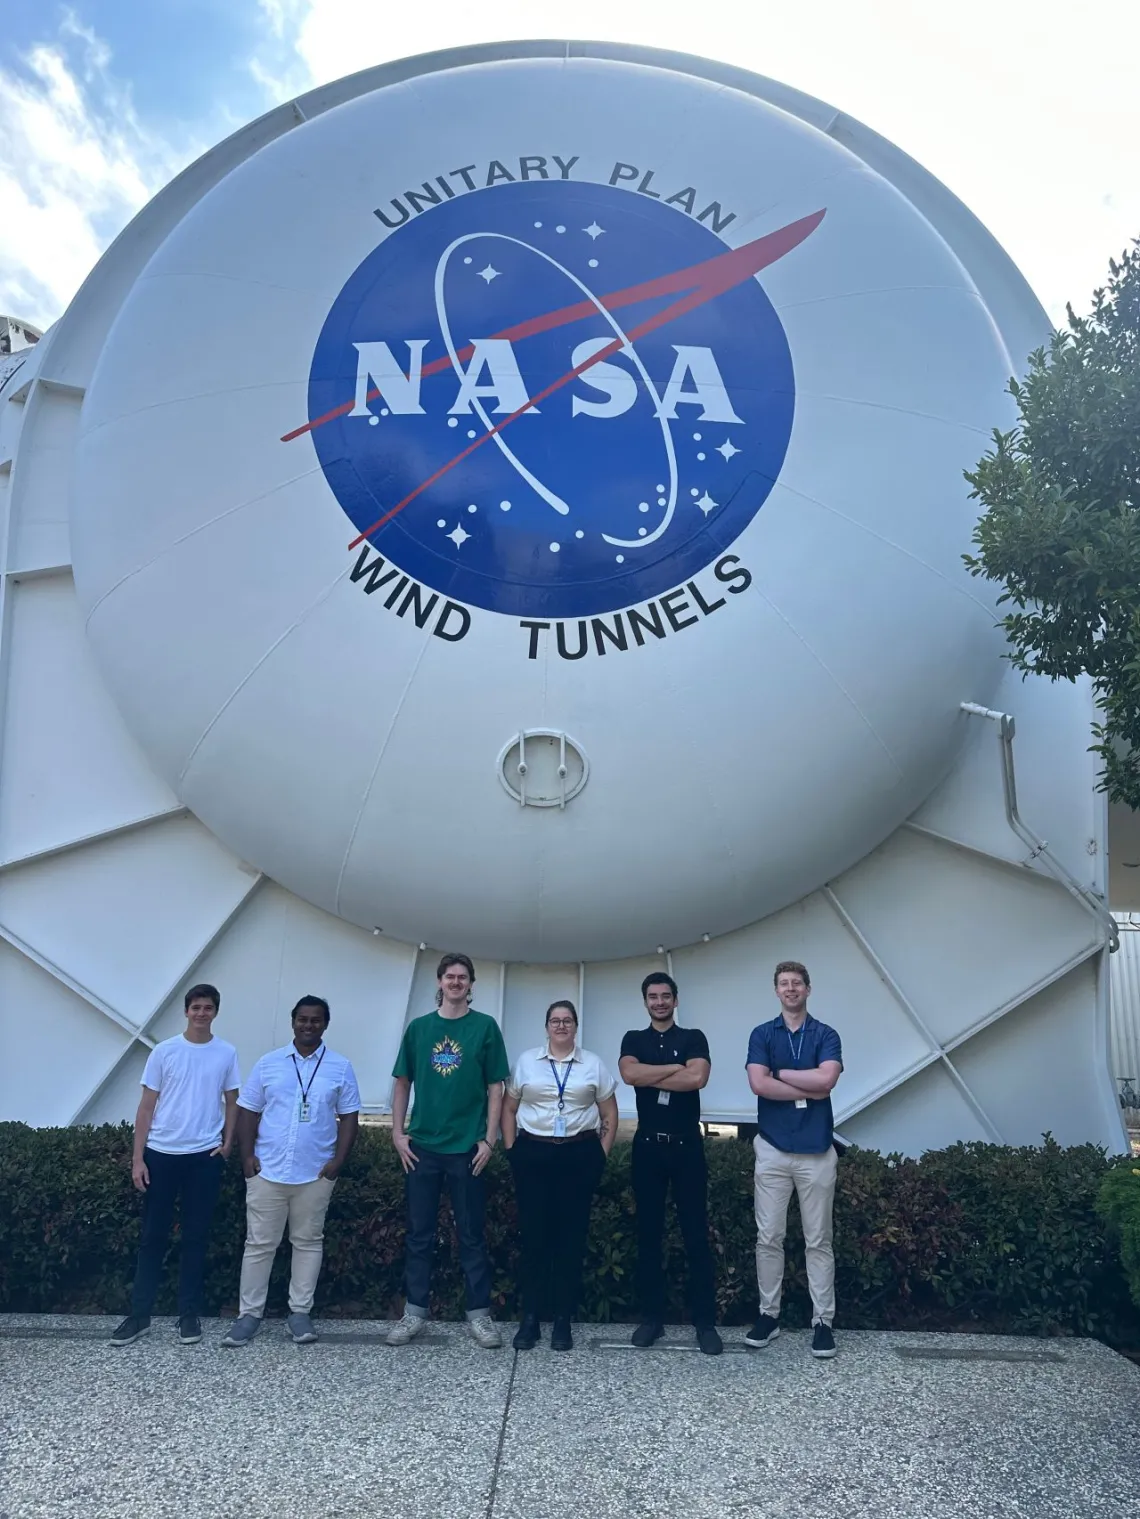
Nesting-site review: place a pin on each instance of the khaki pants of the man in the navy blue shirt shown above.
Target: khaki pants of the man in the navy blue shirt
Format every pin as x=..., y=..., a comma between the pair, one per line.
x=814, y=1180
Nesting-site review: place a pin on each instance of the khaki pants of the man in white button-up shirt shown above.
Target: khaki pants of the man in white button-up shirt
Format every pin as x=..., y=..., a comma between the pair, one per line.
x=268, y=1208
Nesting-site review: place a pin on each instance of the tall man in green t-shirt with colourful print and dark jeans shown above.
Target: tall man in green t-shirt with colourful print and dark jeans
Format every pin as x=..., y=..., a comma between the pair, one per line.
x=457, y=1061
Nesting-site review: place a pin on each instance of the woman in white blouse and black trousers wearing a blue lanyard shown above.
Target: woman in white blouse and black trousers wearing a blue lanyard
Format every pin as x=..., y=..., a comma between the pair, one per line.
x=560, y=1120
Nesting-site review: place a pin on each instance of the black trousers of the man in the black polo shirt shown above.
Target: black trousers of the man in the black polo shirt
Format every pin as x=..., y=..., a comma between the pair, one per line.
x=679, y=1163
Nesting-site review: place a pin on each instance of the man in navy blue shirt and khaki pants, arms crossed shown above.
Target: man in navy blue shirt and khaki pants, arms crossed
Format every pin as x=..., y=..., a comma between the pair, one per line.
x=794, y=1061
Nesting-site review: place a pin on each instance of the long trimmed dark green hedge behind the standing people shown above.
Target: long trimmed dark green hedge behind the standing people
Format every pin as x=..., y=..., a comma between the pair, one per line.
x=971, y=1237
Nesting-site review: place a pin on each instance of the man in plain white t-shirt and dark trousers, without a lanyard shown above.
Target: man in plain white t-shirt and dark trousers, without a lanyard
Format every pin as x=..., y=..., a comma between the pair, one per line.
x=185, y=1131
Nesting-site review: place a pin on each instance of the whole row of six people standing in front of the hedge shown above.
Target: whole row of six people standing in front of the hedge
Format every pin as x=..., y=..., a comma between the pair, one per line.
x=297, y=1116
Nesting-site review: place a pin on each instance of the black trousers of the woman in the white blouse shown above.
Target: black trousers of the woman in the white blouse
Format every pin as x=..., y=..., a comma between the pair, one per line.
x=556, y=1189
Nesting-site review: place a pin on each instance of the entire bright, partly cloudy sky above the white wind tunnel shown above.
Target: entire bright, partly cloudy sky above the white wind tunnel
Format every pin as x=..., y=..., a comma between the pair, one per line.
x=1025, y=109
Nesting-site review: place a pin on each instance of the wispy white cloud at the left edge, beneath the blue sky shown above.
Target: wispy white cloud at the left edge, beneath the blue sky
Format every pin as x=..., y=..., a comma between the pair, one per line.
x=75, y=166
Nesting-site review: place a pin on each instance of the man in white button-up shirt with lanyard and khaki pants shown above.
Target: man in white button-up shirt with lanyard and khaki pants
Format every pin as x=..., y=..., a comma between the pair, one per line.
x=297, y=1122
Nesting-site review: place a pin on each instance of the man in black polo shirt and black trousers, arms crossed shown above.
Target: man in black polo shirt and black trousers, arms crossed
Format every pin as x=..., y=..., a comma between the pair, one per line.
x=668, y=1067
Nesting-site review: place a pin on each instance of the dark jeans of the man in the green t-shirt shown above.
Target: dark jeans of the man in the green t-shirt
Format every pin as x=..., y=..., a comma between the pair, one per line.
x=423, y=1189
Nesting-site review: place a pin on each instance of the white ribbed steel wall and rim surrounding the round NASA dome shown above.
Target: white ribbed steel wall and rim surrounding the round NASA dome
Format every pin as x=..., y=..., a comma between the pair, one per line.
x=969, y=987
